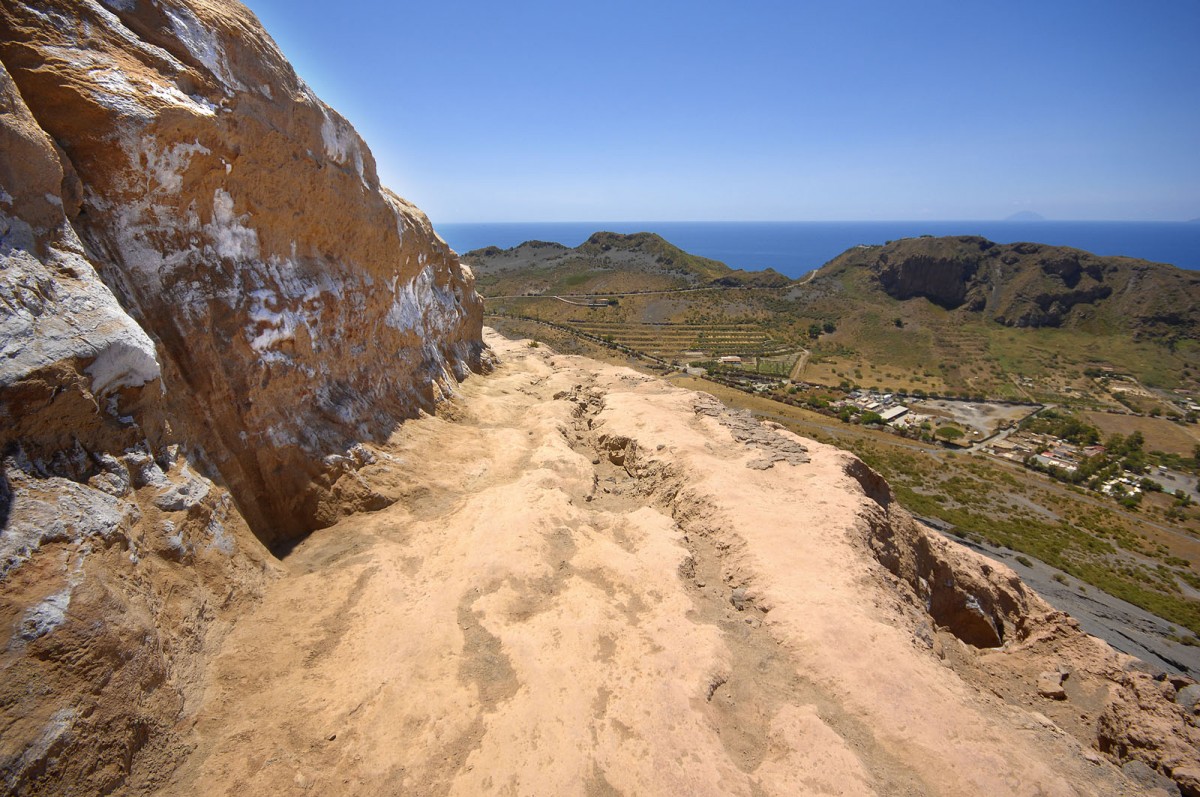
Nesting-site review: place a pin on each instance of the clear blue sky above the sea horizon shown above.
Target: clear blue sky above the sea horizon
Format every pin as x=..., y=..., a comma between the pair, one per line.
x=872, y=110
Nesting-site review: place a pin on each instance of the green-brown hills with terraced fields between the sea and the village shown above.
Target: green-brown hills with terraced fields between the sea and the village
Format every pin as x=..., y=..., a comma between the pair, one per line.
x=946, y=315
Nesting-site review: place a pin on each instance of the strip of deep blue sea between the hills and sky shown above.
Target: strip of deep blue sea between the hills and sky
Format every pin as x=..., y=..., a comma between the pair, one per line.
x=797, y=248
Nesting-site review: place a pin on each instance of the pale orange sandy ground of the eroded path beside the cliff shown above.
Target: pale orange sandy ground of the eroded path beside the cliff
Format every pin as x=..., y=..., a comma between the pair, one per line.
x=529, y=619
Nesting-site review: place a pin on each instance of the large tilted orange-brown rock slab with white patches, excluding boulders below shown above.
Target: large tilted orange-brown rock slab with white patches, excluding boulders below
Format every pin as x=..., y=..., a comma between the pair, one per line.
x=297, y=307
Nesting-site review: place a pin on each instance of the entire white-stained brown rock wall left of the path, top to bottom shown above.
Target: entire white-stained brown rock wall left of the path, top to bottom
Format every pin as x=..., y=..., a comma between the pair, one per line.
x=207, y=304
